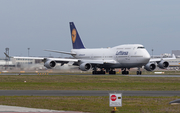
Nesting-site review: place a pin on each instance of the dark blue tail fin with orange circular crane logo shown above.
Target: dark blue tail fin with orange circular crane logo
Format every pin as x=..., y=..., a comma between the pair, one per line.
x=76, y=40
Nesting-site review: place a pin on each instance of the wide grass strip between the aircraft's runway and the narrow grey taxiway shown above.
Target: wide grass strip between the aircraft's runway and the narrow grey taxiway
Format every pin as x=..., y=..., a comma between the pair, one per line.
x=87, y=82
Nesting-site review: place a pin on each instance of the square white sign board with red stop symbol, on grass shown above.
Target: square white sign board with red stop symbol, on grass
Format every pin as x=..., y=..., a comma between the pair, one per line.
x=115, y=99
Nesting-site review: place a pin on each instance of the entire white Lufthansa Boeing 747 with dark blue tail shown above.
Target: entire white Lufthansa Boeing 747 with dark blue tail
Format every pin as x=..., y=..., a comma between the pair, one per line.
x=102, y=60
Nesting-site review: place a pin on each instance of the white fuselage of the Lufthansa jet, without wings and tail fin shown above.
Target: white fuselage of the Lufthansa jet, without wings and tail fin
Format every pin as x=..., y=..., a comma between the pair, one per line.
x=125, y=56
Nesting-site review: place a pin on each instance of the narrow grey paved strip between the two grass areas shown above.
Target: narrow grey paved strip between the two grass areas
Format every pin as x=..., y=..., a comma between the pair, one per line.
x=84, y=93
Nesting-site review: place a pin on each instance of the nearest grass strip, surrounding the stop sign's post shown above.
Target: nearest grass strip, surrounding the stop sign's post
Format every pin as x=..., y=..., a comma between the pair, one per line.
x=94, y=104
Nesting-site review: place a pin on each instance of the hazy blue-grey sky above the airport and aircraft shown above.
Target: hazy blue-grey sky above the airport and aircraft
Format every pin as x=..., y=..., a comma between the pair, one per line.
x=44, y=24
